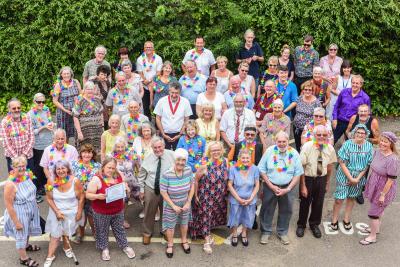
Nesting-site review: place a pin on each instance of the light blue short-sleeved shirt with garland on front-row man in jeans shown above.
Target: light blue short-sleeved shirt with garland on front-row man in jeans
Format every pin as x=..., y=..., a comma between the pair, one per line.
x=277, y=177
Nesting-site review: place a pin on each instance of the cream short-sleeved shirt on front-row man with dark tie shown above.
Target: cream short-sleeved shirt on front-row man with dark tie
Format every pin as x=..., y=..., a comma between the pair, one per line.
x=309, y=155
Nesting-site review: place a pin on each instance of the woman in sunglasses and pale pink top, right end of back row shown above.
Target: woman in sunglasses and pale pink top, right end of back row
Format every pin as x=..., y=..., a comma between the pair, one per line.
x=331, y=63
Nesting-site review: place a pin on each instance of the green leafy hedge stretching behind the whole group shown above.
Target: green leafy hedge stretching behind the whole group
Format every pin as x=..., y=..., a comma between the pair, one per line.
x=39, y=37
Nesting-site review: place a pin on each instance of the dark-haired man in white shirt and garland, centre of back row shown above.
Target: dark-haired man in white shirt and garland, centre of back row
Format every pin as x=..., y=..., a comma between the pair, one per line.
x=203, y=57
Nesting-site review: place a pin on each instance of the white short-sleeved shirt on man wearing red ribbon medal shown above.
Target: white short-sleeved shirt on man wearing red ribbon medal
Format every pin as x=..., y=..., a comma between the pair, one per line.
x=172, y=122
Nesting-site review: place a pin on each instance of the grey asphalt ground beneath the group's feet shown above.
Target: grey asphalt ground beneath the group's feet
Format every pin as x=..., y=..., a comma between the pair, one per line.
x=340, y=249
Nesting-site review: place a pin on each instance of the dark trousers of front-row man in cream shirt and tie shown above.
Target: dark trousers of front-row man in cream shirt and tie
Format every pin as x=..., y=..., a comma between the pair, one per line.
x=315, y=198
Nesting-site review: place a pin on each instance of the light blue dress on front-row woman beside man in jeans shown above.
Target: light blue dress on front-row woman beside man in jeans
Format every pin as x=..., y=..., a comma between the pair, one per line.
x=239, y=214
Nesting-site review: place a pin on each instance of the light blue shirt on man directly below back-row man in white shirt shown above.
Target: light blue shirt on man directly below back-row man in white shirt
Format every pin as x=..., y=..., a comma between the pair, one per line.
x=191, y=88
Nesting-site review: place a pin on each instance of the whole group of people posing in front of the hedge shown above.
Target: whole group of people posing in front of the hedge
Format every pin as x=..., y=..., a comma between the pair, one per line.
x=199, y=151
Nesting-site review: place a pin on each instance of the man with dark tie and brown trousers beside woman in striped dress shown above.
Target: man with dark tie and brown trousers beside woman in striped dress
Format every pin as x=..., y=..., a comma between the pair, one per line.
x=153, y=166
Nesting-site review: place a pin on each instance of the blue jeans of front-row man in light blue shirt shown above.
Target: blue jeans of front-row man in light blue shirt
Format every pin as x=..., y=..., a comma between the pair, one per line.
x=267, y=211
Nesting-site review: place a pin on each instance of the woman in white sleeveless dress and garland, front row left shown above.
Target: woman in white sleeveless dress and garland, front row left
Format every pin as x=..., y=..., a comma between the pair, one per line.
x=66, y=199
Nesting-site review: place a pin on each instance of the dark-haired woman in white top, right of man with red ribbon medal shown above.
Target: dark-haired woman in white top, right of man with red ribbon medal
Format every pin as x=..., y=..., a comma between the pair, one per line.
x=213, y=97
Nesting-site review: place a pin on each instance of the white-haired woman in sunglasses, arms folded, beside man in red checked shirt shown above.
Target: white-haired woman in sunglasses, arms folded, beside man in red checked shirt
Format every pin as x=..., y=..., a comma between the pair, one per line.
x=43, y=129
